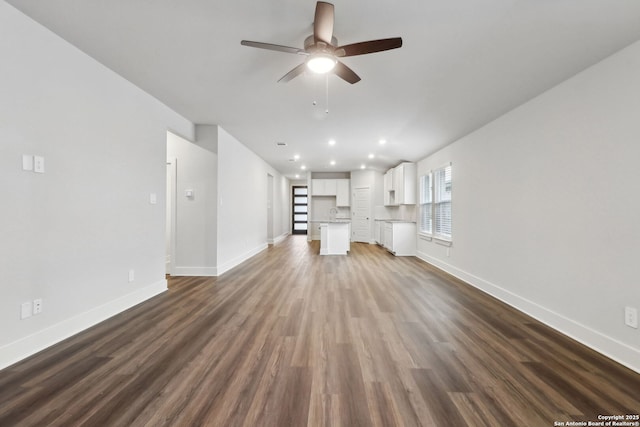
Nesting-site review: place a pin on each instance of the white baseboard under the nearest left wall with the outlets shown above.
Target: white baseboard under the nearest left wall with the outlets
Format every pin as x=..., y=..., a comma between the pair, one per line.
x=29, y=345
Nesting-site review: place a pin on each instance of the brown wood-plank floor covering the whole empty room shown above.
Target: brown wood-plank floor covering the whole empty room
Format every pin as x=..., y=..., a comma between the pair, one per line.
x=290, y=338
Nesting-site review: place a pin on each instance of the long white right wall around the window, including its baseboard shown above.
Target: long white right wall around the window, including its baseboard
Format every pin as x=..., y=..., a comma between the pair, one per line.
x=546, y=210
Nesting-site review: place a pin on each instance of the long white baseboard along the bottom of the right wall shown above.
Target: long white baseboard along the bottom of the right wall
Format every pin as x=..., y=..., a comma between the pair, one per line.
x=612, y=348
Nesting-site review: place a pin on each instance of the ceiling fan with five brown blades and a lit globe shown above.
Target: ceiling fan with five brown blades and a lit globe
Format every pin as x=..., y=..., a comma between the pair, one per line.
x=322, y=50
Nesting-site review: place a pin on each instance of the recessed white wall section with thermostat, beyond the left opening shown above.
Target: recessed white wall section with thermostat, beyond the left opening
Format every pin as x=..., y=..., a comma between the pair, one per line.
x=195, y=217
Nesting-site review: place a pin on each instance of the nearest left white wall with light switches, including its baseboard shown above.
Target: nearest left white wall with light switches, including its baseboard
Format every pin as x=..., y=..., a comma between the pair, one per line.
x=71, y=235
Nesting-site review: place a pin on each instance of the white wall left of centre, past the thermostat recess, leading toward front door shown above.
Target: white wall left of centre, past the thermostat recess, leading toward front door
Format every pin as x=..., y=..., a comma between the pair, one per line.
x=242, y=202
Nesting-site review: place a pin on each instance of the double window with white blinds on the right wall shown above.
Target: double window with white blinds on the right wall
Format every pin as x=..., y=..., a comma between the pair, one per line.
x=435, y=203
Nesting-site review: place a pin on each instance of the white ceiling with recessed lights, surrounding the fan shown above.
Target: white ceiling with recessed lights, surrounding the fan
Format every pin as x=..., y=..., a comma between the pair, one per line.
x=463, y=64
